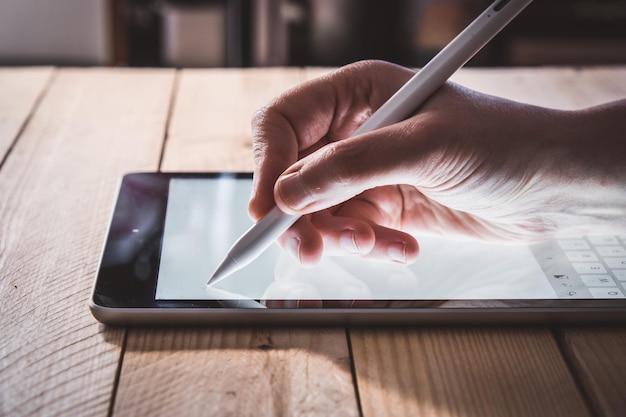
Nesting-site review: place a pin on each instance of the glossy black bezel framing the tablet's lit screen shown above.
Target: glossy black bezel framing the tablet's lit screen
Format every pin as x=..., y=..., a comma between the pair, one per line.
x=119, y=287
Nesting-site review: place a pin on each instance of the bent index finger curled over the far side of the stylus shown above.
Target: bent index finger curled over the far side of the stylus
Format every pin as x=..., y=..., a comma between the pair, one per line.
x=311, y=115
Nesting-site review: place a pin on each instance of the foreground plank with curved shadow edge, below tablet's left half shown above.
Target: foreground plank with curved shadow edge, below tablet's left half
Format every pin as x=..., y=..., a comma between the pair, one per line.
x=236, y=372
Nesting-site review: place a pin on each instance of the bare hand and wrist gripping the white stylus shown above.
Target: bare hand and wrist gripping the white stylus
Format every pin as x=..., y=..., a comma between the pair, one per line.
x=467, y=165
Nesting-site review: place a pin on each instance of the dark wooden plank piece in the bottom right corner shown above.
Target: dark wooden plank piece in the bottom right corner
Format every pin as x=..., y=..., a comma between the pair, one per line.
x=598, y=357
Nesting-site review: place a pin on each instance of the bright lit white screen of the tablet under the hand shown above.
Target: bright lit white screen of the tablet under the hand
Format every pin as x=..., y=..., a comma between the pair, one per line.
x=204, y=217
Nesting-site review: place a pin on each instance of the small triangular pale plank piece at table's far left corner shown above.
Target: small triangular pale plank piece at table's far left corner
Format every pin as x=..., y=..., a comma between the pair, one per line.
x=19, y=90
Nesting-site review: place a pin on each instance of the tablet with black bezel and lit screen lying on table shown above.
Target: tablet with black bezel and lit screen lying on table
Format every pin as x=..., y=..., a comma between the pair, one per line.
x=168, y=232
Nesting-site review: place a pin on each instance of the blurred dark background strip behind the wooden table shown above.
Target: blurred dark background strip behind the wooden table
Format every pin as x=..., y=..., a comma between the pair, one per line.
x=248, y=33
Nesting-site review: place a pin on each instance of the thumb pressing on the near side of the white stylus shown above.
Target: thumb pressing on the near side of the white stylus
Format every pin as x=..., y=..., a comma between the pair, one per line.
x=342, y=170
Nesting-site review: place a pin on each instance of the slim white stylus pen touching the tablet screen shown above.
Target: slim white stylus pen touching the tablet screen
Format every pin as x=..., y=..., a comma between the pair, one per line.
x=404, y=102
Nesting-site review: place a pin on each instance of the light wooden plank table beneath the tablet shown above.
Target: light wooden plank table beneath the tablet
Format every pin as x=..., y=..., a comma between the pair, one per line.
x=66, y=137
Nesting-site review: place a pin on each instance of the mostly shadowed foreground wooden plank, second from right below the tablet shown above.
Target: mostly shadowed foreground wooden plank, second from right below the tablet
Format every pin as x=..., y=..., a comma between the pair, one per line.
x=463, y=372
